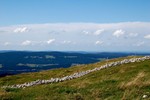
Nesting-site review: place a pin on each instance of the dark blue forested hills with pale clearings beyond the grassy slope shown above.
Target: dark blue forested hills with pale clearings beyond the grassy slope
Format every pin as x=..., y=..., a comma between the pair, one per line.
x=15, y=62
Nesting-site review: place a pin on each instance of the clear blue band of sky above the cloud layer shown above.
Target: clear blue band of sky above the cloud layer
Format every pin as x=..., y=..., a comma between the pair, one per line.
x=56, y=11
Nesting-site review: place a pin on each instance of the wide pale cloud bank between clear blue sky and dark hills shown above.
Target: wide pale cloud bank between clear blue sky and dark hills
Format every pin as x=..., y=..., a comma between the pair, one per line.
x=77, y=37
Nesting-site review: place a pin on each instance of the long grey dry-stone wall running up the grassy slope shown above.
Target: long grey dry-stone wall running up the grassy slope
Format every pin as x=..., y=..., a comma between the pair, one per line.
x=78, y=74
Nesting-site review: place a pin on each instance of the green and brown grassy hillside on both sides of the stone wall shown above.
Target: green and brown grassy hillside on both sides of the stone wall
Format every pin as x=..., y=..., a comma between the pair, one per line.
x=126, y=82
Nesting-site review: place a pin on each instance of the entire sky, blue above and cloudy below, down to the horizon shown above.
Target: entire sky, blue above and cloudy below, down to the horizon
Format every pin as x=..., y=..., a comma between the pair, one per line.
x=75, y=25
